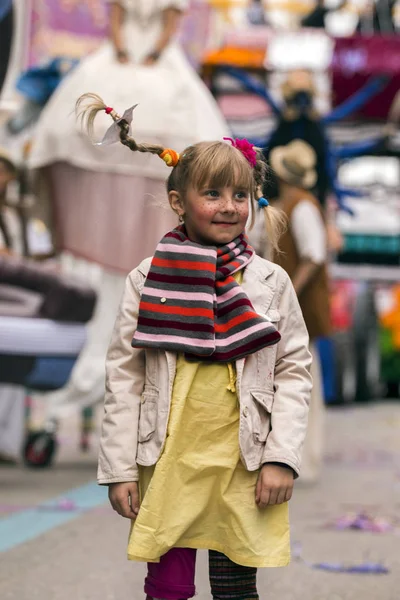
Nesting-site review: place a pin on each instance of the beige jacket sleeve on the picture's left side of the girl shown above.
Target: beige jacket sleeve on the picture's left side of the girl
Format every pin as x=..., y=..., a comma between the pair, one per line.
x=125, y=375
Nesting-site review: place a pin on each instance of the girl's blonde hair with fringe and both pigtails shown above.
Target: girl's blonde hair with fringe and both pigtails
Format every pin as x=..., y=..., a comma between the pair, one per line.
x=205, y=164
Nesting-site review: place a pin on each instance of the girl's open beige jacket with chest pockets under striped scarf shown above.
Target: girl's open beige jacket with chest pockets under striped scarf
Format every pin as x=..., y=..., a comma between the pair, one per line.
x=273, y=385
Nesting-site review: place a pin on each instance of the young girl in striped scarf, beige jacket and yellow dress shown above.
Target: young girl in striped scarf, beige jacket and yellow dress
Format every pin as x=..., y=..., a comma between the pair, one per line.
x=208, y=384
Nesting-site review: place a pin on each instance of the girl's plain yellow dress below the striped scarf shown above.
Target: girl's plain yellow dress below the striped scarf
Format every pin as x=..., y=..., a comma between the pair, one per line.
x=199, y=495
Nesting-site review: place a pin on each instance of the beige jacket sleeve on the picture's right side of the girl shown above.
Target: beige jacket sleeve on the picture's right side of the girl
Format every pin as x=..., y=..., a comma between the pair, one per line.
x=293, y=384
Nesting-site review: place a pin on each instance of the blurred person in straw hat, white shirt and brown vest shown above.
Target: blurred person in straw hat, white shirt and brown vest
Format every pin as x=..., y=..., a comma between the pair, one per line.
x=303, y=254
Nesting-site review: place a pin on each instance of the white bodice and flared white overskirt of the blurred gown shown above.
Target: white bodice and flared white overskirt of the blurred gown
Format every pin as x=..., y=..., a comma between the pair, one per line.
x=175, y=108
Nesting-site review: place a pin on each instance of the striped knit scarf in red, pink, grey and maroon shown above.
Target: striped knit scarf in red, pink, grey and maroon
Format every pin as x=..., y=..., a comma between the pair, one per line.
x=191, y=302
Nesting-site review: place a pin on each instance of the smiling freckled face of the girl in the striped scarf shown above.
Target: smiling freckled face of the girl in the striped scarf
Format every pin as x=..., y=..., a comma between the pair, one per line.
x=212, y=217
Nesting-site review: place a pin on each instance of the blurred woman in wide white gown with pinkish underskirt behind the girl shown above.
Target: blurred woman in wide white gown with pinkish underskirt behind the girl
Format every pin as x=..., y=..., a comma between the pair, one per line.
x=101, y=197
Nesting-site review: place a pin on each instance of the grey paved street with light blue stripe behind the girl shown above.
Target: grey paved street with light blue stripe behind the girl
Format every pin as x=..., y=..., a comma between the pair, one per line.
x=80, y=554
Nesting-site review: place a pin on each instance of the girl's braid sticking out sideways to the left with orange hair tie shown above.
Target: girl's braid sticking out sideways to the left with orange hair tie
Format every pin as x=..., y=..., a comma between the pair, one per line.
x=89, y=105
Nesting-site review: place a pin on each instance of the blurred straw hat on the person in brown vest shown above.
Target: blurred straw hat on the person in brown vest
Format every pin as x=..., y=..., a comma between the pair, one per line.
x=295, y=164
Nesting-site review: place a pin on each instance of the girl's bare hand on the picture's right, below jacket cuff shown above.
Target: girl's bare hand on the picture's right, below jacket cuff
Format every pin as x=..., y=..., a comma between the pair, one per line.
x=274, y=485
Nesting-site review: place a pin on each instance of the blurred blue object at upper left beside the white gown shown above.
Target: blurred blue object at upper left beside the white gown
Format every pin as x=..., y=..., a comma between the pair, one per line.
x=38, y=83
